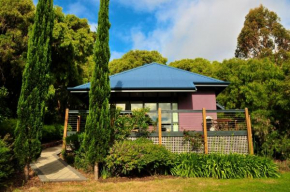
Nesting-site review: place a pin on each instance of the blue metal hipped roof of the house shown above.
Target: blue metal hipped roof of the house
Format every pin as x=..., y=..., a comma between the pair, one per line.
x=156, y=76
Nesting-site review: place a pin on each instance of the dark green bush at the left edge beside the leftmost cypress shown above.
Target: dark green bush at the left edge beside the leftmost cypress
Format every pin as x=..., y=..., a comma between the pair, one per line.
x=6, y=167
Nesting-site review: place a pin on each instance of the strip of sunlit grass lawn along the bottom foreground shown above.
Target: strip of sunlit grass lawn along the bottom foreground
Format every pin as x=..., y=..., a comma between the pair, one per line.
x=172, y=184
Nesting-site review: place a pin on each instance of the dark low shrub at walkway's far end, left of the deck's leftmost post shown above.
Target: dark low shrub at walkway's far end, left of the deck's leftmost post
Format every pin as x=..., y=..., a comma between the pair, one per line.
x=52, y=133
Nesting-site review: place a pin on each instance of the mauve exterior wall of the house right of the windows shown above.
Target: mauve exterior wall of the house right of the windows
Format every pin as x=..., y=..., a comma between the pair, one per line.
x=195, y=101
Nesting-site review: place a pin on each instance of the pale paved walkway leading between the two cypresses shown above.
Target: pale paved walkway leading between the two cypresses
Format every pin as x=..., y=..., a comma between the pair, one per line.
x=50, y=168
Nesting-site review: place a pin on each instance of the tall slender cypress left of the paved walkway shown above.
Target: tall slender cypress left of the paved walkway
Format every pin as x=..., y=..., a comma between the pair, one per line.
x=34, y=87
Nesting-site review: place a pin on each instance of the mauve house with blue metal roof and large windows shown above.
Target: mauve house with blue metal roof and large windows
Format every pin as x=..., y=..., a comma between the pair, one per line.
x=171, y=89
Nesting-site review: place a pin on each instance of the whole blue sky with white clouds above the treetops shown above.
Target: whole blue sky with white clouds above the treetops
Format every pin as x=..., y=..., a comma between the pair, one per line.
x=178, y=29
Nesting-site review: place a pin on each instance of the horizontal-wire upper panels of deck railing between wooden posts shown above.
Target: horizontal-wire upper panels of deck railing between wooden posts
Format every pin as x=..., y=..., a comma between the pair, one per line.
x=178, y=120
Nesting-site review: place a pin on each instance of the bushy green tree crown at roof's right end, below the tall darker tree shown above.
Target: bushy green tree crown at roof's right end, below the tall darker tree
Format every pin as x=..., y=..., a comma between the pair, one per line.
x=254, y=83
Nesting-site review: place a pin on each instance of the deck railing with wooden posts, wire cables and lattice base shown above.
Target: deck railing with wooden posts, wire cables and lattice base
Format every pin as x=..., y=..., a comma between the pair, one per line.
x=233, y=127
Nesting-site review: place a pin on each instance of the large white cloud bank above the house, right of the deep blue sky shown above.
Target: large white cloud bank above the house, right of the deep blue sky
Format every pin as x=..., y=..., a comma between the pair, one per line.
x=204, y=28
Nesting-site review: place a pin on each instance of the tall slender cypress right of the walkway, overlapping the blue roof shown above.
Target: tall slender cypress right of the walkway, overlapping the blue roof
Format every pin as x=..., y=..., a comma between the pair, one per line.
x=97, y=131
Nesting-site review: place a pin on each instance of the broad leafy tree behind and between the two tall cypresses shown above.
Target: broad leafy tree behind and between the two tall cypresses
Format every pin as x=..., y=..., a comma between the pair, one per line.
x=72, y=47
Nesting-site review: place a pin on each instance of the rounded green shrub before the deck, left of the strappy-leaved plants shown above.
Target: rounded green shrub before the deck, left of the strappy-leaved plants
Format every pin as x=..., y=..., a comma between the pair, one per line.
x=139, y=157
